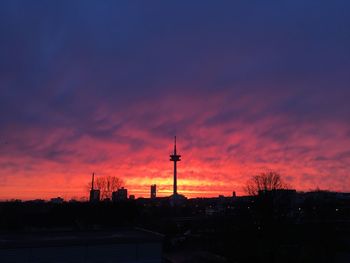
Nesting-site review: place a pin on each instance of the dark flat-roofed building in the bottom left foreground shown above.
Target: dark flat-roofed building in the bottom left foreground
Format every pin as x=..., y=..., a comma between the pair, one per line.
x=83, y=246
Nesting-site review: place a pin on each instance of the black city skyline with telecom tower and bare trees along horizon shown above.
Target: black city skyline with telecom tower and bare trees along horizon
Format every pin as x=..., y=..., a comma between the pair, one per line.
x=106, y=186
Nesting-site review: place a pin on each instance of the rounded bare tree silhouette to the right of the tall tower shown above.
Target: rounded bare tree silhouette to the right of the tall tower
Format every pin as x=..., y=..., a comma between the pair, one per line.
x=264, y=182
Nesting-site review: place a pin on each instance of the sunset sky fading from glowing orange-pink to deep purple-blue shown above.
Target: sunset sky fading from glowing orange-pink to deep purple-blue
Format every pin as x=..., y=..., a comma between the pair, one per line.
x=103, y=86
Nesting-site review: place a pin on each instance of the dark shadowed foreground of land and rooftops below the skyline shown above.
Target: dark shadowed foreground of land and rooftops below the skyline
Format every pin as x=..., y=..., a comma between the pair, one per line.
x=273, y=227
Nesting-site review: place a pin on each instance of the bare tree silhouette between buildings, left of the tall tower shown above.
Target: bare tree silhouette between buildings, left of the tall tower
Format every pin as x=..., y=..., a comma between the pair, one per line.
x=107, y=185
